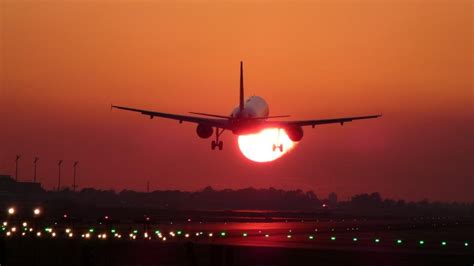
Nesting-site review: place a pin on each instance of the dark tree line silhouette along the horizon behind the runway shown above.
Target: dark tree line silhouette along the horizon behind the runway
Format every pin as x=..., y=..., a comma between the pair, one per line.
x=252, y=199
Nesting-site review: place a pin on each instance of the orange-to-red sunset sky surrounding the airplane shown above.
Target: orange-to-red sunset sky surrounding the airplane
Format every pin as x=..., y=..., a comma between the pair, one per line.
x=64, y=62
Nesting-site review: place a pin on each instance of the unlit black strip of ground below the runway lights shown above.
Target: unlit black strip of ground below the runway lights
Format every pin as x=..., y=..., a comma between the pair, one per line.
x=64, y=252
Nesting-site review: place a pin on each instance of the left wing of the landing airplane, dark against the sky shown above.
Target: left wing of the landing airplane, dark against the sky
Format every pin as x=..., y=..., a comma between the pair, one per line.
x=220, y=123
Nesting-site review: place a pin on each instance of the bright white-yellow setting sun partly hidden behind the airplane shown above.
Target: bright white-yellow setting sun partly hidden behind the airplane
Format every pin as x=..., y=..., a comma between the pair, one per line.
x=265, y=145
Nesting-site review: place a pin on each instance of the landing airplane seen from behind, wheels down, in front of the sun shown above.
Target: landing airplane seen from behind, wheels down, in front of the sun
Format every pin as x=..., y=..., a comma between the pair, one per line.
x=251, y=116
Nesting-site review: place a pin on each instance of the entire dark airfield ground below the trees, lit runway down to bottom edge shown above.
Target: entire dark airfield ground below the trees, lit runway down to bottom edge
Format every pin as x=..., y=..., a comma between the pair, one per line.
x=331, y=242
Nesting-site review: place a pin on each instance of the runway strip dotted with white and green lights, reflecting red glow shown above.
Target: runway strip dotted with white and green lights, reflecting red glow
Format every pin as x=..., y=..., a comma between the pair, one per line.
x=430, y=234
